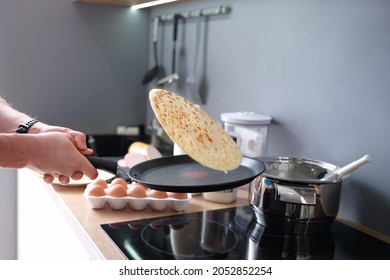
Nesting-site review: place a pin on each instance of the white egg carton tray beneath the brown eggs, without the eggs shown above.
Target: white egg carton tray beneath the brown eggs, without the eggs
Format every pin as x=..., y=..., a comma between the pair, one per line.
x=157, y=204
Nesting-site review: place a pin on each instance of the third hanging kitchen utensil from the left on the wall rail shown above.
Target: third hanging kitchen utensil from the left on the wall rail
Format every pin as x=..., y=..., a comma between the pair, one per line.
x=191, y=81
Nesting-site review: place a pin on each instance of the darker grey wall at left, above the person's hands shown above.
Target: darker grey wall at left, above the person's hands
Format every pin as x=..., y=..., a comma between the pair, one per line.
x=73, y=64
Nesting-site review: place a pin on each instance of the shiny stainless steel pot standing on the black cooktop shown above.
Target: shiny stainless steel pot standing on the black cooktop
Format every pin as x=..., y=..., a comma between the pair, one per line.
x=293, y=197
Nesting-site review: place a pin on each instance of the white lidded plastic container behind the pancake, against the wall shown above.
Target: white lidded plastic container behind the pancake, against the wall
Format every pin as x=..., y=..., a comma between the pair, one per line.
x=251, y=131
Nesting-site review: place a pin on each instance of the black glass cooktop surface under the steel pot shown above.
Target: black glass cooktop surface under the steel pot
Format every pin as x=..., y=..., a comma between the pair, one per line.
x=232, y=234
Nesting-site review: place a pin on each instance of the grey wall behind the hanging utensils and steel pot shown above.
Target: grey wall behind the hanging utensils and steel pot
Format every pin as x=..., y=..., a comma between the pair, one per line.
x=320, y=68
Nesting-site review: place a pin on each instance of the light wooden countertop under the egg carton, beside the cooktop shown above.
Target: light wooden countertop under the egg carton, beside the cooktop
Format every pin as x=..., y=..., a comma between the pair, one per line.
x=86, y=221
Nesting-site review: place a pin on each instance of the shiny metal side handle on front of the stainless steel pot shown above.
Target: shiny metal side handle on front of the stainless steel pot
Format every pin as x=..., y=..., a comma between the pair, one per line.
x=297, y=195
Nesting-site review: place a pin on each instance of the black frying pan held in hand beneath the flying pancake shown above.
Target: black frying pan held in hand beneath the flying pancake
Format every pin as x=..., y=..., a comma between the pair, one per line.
x=183, y=174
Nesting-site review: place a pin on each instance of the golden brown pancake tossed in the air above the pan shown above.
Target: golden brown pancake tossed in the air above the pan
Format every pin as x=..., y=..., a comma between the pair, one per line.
x=195, y=132
